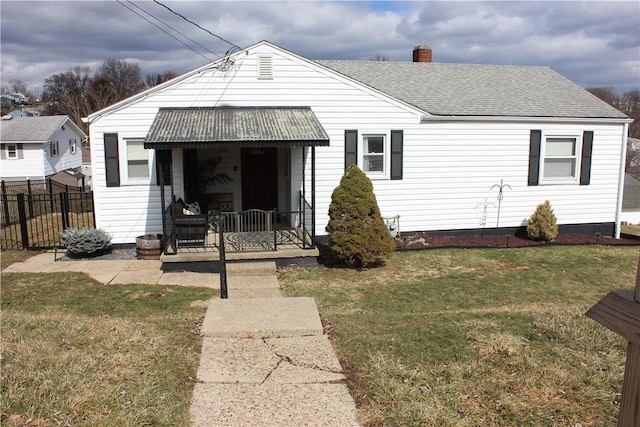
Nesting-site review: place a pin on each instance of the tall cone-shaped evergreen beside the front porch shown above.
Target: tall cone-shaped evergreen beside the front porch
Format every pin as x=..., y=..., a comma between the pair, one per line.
x=357, y=233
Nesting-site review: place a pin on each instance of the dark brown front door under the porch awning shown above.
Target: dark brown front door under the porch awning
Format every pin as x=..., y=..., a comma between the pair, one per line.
x=259, y=178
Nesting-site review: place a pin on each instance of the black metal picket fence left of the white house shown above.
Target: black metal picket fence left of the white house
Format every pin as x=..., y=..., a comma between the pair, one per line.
x=35, y=221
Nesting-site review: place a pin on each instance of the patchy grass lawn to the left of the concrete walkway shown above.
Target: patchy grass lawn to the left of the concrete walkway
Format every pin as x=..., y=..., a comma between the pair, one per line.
x=76, y=352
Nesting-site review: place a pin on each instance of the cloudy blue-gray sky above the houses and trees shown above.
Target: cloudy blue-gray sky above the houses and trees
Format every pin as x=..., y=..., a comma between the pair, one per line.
x=593, y=43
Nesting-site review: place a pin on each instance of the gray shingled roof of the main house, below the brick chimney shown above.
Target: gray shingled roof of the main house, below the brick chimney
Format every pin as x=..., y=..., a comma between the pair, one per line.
x=477, y=90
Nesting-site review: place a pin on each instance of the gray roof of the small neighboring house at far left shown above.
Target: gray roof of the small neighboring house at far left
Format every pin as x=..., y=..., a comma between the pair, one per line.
x=30, y=129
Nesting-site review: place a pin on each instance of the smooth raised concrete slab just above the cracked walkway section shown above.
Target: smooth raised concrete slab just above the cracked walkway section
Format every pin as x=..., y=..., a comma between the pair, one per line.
x=262, y=318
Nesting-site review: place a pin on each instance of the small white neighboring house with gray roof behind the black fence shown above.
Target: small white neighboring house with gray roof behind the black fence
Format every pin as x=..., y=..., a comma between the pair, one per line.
x=38, y=147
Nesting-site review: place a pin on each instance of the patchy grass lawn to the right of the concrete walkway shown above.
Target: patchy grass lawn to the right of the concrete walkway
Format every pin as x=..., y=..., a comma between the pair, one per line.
x=477, y=337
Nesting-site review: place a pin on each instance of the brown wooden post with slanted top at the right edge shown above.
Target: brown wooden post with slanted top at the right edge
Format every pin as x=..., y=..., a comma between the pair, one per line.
x=620, y=312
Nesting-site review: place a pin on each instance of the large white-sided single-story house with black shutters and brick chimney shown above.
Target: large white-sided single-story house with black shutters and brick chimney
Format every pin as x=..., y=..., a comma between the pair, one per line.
x=268, y=129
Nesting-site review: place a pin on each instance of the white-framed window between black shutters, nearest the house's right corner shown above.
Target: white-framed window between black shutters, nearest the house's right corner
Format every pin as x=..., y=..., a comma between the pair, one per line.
x=560, y=161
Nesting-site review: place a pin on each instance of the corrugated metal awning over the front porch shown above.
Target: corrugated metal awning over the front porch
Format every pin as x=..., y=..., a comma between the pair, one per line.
x=208, y=127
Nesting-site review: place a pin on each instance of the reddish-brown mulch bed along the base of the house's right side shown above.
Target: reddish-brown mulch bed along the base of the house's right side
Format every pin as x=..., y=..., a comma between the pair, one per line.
x=428, y=241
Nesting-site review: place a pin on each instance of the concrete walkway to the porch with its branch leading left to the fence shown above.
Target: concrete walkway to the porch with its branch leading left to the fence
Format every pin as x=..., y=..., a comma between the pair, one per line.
x=265, y=360
